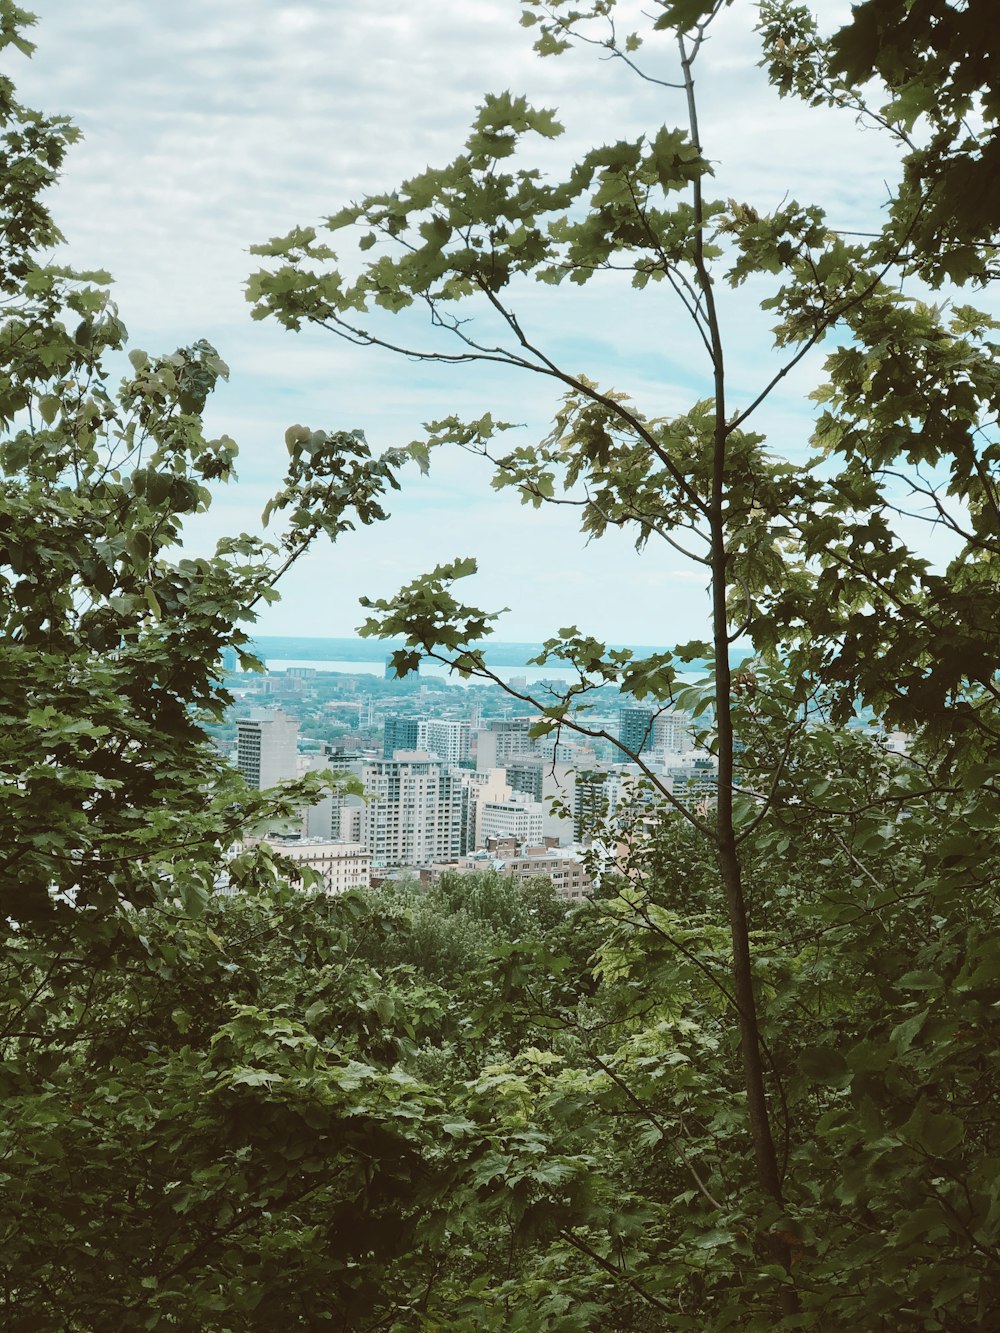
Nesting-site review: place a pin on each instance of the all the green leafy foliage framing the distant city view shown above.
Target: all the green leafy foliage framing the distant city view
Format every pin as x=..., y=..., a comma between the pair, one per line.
x=754, y=1083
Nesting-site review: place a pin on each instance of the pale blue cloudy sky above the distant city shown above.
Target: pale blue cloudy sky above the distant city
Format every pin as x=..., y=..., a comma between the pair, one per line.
x=214, y=125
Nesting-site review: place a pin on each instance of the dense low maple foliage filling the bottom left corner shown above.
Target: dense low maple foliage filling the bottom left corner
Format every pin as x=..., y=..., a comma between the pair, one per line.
x=214, y=1135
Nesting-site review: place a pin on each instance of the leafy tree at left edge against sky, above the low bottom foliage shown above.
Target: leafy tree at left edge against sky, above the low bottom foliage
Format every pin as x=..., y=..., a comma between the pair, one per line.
x=110, y=645
